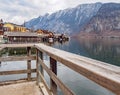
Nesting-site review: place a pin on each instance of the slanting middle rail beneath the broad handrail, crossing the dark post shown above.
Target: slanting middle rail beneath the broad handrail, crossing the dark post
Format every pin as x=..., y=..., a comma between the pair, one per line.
x=64, y=88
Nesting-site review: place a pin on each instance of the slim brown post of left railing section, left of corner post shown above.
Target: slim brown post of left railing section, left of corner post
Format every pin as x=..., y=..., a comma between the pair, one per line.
x=29, y=63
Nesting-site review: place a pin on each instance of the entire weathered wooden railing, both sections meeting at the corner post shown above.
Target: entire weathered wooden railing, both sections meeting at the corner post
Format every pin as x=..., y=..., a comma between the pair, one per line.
x=102, y=73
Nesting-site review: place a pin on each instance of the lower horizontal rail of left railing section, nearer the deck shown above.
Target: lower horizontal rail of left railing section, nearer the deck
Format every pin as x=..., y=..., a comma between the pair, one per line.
x=16, y=72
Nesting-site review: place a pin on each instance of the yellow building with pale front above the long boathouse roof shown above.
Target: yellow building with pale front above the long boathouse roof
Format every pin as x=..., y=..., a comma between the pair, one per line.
x=14, y=28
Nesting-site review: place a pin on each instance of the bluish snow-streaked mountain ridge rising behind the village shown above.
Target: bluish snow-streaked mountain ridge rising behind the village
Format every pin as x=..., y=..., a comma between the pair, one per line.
x=65, y=21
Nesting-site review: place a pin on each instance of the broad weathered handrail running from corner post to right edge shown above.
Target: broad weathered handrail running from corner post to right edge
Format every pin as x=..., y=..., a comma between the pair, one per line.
x=102, y=73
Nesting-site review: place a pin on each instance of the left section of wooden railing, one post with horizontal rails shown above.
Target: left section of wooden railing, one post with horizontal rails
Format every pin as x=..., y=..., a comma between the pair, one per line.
x=27, y=58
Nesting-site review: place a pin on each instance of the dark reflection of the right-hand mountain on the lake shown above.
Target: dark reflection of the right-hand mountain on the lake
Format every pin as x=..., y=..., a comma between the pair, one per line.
x=107, y=50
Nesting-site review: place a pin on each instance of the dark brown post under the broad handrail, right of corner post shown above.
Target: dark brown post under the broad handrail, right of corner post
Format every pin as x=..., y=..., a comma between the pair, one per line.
x=53, y=67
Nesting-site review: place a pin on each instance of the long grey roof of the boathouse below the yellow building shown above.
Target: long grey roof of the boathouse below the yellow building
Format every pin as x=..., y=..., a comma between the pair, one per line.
x=30, y=34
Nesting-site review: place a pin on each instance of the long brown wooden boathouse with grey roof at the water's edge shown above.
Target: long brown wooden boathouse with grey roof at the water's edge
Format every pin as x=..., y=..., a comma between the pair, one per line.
x=21, y=37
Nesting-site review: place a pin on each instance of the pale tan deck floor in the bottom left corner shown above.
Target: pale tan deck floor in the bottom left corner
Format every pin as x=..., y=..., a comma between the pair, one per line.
x=25, y=88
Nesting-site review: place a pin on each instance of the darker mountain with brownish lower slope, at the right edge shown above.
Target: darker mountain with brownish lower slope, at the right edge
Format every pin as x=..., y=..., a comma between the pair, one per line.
x=105, y=23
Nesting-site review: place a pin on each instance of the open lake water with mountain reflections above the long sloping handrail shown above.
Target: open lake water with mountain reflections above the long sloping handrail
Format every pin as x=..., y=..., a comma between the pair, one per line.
x=107, y=50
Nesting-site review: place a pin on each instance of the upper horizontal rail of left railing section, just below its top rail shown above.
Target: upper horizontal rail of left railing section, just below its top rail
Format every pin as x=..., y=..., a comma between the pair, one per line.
x=17, y=58
